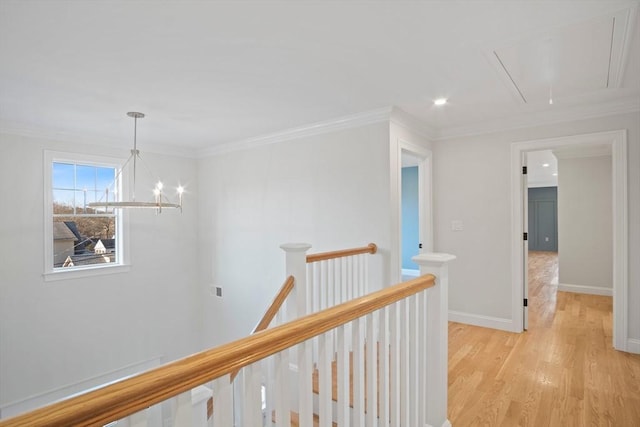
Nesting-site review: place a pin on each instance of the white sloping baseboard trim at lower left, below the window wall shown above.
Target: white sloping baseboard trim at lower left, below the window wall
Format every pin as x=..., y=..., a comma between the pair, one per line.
x=46, y=397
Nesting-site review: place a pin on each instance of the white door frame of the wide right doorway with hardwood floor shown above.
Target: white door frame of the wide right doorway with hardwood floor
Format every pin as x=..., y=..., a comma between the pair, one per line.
x=617, y=140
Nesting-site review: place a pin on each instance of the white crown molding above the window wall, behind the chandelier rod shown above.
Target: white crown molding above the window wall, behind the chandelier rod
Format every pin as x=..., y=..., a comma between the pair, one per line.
x=29, y=131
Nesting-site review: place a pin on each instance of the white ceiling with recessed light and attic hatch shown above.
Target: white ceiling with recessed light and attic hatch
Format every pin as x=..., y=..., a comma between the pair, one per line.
x=210, y=74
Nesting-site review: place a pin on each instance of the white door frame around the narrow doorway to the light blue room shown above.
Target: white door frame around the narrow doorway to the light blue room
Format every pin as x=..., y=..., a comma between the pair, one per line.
x=425, y=201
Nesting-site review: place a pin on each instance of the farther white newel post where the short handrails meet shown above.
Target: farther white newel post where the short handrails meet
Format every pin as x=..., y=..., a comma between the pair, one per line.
x=296, y=266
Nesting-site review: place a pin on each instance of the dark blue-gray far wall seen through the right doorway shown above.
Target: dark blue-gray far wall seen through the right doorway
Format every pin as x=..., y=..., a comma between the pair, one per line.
x=543, y=219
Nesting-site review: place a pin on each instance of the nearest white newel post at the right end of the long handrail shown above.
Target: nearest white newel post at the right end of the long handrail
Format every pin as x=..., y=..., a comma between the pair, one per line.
x=437, y=335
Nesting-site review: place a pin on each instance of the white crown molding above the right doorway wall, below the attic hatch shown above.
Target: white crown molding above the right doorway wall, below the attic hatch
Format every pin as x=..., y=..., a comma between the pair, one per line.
x=541, y=118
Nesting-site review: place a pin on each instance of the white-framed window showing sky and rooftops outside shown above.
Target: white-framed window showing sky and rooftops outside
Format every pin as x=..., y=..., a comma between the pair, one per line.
x=78, y=237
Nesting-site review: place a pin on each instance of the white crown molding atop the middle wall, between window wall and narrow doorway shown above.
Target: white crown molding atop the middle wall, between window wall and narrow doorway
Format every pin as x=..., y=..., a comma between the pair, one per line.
x=312, y=129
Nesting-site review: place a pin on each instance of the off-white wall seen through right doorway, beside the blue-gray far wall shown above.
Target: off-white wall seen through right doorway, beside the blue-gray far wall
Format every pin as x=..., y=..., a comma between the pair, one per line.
x=585, y=240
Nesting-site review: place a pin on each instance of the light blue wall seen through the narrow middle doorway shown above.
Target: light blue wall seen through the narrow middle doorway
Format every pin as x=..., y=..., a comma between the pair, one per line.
x=410, y=217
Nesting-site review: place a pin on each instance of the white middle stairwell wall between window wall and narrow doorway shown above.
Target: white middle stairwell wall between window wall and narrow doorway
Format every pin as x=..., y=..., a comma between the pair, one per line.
x=329, y=190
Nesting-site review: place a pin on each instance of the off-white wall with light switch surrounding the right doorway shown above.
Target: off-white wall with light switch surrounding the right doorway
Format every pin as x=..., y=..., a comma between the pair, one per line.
x=472, y=184
